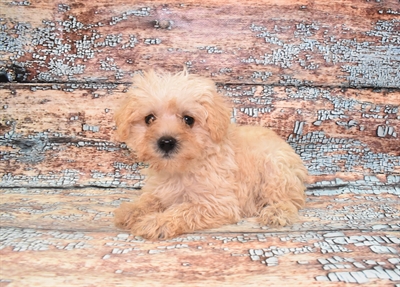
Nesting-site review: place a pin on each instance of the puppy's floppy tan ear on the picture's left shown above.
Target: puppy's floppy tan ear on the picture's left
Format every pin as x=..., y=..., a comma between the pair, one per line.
x=124, y=117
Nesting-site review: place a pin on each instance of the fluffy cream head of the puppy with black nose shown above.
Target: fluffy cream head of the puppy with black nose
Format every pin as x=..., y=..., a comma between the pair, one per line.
x=172, y=120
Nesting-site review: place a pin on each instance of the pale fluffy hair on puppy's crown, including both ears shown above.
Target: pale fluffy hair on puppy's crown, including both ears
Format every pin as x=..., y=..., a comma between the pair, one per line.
x=158, y=87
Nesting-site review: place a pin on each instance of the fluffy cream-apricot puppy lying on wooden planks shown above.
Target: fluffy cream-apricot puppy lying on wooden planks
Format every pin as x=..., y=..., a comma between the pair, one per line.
x=203, y=172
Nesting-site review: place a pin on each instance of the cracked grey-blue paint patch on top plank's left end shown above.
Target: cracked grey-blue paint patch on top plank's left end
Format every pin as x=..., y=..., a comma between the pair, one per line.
x=60, y=57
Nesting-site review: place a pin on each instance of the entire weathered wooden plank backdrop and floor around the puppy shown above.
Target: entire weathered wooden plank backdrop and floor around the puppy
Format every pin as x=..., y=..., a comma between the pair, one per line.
x=324, y=74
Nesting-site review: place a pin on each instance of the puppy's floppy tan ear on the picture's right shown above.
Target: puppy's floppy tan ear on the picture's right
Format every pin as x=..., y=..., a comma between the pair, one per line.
x=218, y=118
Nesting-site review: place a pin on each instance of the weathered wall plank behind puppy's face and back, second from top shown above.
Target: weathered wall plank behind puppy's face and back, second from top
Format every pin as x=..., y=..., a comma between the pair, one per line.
x=63, y=135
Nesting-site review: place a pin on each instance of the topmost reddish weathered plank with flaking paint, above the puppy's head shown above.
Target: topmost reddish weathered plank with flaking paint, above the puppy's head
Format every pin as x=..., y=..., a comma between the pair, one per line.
x=328, y=43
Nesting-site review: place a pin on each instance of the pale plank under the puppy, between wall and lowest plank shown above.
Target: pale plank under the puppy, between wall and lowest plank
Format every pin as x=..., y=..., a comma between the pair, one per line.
x=351, y=206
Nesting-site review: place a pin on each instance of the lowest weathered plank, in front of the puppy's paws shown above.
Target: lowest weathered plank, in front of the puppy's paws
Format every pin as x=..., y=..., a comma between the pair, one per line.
x=104, y=259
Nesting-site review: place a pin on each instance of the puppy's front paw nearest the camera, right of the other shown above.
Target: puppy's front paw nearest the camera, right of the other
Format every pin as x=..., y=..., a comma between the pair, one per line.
x=156, y=226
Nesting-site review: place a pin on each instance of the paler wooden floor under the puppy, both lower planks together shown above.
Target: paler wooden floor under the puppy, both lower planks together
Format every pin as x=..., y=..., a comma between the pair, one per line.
x=69, y=235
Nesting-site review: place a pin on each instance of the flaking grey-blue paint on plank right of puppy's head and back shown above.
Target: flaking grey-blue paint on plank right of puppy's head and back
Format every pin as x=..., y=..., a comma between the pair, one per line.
x=324, y=153
